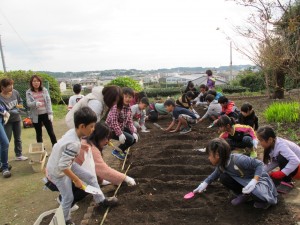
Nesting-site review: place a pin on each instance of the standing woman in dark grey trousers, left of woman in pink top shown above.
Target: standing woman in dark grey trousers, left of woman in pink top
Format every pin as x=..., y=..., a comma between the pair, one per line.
x=13, y=101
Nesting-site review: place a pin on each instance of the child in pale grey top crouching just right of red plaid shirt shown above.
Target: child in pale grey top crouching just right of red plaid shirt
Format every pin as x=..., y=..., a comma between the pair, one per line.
x=138, y=114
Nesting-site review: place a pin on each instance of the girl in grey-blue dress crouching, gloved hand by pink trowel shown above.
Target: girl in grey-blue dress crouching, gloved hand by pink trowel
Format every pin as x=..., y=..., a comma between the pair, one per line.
x=241, y=174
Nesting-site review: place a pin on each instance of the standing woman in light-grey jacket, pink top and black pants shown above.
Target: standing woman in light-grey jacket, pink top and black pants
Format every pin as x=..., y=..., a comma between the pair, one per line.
x=39, y=102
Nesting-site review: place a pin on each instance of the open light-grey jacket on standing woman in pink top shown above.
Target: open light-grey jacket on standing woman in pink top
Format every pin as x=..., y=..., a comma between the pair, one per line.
x=31, y=103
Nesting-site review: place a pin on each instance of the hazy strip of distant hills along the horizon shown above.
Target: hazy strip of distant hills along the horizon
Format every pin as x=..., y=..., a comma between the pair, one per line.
x=122, y=72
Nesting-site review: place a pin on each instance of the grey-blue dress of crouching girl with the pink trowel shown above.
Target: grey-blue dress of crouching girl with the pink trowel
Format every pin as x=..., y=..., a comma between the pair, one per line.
x=242, y=169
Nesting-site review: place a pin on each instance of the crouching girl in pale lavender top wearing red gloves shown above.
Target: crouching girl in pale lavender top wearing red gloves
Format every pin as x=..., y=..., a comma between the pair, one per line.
x=279, y=152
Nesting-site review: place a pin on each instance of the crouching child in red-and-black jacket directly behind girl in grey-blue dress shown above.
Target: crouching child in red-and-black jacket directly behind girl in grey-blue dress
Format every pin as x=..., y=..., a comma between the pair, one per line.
x=238, y=136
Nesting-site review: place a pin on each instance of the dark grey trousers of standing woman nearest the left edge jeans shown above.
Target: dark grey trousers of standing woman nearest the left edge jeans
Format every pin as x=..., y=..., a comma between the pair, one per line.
x=15, y=129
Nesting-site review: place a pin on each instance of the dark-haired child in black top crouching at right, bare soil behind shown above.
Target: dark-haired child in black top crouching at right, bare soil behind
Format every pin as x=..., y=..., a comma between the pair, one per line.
x=247, y=116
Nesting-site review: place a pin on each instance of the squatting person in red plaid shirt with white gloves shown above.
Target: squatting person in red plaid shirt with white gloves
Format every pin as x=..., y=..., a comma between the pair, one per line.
x=119, y=119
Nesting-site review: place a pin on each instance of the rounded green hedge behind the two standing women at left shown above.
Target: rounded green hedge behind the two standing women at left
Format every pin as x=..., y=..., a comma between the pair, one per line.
x=21, y=79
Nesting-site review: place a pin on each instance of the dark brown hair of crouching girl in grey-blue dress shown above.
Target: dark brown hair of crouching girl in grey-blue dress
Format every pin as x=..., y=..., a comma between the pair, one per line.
x=220, y=146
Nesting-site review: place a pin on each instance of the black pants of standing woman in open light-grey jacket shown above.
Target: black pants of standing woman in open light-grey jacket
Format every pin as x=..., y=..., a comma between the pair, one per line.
x=43, y=119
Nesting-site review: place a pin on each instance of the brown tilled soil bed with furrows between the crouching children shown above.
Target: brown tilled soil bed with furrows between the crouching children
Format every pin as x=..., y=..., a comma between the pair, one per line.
x=166, y=167
